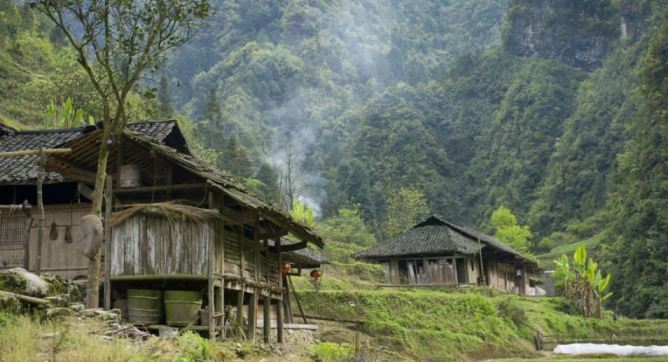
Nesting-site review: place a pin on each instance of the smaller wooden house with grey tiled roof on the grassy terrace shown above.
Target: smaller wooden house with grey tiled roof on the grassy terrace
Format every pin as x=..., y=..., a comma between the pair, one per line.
x=438, y=252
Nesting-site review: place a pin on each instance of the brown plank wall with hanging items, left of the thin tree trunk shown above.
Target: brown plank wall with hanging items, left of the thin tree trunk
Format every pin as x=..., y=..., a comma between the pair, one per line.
x=59, y=256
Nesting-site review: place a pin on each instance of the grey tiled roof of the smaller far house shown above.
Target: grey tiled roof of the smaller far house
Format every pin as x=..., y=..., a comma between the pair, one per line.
x=435, y=236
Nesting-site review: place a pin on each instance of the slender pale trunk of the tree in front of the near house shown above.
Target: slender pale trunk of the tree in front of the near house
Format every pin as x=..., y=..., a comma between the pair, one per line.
x=100, y=178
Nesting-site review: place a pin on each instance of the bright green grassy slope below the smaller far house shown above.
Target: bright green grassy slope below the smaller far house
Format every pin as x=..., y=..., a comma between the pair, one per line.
x=470, y=323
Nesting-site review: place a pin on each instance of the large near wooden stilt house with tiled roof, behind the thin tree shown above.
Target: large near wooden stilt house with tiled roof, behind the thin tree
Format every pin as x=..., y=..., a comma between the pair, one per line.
x=176, y=225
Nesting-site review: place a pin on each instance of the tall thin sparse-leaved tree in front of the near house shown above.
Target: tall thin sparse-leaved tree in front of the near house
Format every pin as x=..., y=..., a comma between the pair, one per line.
x=116, y=42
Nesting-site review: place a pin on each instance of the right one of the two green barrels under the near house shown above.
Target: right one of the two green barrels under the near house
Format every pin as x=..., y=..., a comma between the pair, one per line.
x=182, y=307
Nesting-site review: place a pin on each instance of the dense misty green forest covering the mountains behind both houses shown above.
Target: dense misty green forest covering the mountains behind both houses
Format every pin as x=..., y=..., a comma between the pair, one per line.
x=380, y=112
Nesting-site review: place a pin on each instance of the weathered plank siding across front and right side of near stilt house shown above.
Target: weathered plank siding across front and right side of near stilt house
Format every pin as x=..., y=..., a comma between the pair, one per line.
x=153, y=245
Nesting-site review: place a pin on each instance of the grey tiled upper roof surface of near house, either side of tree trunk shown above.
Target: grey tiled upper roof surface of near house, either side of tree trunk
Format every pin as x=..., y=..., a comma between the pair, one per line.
x=21, y=170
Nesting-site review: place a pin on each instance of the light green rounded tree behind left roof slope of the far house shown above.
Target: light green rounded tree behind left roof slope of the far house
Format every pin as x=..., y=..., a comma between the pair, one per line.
x=405, y=208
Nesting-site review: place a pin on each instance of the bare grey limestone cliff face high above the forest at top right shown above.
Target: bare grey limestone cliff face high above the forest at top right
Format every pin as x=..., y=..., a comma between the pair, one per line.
x=574, y=32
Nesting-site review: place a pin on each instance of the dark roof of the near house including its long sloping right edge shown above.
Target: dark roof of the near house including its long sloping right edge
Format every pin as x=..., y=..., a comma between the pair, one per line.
x=163, y=138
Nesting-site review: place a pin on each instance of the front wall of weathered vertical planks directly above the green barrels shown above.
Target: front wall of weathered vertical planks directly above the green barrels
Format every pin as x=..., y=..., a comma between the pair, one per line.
x=153, y=245
